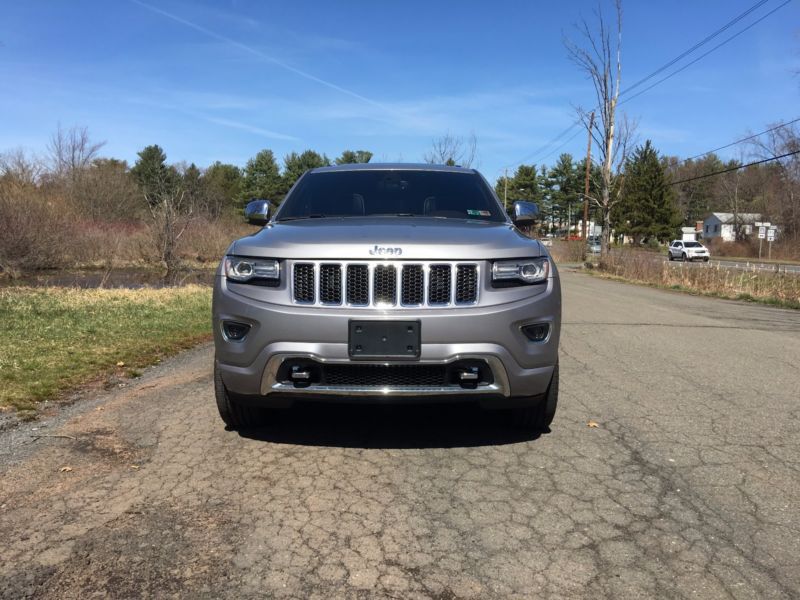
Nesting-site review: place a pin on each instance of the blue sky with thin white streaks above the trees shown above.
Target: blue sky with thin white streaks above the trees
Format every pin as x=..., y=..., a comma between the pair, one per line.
x=221, y=80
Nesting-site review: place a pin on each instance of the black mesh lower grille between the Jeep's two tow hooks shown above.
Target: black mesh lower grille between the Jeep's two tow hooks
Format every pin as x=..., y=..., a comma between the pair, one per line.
x=385, y=375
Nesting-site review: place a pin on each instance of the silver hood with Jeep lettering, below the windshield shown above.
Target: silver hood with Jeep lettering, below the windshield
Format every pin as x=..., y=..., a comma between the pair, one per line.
x=403, y=238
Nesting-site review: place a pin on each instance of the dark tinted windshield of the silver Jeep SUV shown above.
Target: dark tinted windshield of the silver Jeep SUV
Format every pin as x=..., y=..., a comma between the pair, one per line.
x=387, y=192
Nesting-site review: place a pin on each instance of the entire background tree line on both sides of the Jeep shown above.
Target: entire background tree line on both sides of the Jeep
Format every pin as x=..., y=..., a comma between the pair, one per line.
x=87, y=194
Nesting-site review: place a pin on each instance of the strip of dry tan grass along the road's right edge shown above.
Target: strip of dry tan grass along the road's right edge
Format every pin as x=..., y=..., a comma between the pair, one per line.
x=762, y=286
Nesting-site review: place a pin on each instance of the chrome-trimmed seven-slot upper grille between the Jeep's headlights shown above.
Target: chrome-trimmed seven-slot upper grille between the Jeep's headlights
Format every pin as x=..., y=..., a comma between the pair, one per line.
x=386, y=284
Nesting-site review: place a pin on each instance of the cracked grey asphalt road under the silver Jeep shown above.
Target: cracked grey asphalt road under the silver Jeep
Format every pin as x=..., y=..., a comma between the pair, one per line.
x=688, y=487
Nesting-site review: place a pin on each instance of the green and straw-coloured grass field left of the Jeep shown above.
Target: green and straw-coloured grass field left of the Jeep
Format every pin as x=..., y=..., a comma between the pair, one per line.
x=54, y=339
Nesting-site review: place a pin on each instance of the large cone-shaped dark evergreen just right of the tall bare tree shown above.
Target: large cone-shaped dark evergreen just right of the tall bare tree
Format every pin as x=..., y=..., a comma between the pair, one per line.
x=646, y=207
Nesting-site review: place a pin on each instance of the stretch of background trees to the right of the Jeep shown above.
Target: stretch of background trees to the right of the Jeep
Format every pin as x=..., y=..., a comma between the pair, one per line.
x=657, y=194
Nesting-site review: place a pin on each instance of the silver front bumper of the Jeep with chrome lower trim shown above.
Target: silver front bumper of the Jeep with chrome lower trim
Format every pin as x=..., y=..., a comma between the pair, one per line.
x=280, y=332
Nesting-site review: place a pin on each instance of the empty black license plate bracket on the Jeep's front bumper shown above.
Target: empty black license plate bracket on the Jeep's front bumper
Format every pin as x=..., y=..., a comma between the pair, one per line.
x=384, y=340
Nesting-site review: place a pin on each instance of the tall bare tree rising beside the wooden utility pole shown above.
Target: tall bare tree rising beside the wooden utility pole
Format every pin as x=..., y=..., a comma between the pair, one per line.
x=599, y=55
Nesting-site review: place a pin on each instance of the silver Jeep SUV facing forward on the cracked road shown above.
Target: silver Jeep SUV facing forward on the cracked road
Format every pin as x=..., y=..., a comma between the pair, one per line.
x=387, y=283
